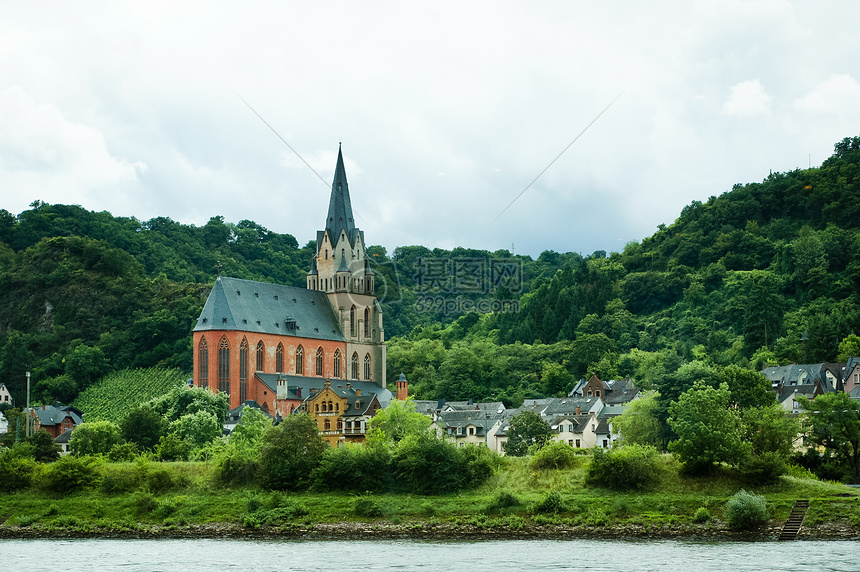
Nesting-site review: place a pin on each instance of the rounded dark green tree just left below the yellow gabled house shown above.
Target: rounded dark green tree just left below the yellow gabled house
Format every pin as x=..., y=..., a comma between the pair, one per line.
x=291, y=451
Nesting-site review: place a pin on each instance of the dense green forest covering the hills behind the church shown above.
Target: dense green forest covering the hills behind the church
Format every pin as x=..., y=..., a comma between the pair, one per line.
x=764, y=273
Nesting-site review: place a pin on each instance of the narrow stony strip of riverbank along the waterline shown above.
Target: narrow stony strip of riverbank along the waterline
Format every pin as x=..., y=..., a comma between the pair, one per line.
x=424, y=530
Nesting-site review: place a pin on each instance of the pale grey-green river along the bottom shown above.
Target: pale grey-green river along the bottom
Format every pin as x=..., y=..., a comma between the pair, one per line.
x=476, y=556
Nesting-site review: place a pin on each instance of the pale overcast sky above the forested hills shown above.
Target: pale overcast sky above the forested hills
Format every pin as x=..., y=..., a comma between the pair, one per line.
x=446, y=111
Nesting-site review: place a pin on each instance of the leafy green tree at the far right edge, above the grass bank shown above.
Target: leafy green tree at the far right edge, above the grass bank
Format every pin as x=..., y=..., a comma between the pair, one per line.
x=833, y=421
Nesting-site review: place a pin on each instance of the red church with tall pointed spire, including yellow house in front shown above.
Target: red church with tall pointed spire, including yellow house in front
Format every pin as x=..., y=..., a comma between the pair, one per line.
x=289, y=348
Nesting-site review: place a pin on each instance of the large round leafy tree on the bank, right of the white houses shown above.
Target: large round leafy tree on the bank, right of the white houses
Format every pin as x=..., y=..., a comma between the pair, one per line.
x=708, y=428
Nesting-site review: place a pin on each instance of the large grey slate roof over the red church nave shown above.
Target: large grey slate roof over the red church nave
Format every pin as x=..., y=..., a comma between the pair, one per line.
x=249, y=306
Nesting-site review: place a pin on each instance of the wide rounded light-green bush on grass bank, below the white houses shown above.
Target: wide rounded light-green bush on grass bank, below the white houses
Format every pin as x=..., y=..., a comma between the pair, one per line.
x=628, y=467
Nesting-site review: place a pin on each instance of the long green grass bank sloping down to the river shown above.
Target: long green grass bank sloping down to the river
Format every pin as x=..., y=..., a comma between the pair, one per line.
x=179, y=499
